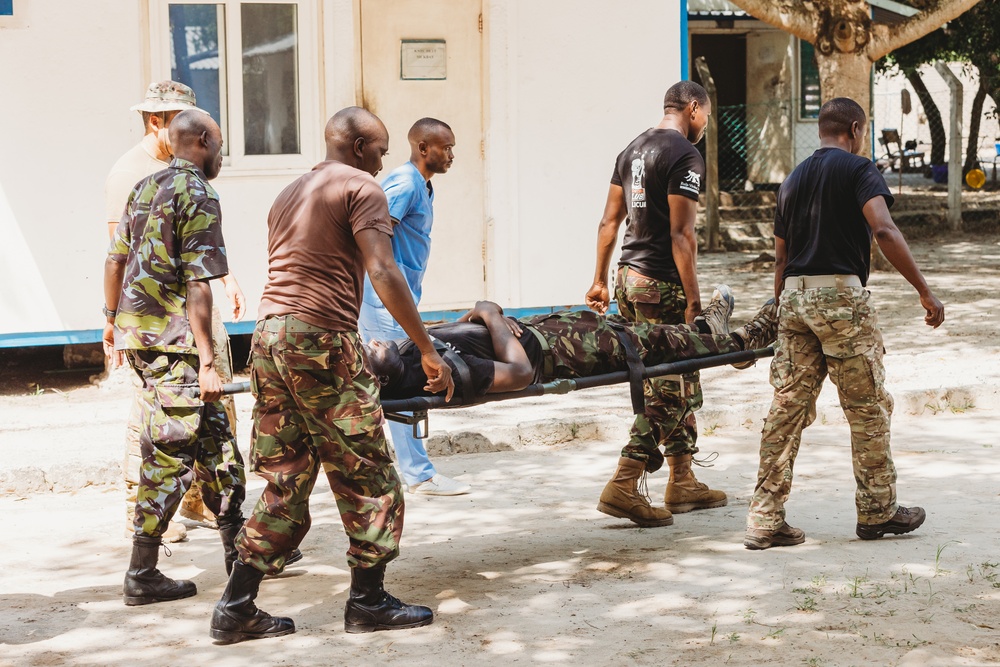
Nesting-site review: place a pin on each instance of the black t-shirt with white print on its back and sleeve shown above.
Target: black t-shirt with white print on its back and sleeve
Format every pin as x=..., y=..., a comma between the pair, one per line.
x=656, y=164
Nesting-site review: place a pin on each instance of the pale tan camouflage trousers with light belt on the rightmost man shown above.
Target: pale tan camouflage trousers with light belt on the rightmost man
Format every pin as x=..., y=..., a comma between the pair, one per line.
x=823, y=331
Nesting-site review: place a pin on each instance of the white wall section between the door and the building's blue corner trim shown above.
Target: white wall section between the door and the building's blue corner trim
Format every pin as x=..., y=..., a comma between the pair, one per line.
x=571, y=84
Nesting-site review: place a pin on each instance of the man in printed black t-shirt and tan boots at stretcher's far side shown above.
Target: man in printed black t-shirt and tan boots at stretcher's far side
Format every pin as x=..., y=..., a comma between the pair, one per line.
x=655, y=185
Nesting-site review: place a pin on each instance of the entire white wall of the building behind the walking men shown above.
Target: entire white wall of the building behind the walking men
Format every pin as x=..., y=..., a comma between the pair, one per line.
x=567, y=84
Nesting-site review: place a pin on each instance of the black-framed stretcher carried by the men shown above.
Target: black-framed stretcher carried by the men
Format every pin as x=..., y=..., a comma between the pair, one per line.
x=413, y=411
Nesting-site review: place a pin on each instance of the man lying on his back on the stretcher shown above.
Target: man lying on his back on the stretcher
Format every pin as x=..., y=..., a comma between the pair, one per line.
x=503, y=354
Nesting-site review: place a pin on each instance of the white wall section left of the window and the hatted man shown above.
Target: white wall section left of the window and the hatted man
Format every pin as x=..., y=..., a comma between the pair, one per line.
x=64, y=120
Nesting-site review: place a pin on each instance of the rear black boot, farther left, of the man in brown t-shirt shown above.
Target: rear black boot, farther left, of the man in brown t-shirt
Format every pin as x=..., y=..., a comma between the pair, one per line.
x=236, y=617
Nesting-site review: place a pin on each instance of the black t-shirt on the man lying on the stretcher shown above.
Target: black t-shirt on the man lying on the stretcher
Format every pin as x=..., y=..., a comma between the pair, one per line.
x=473, y=344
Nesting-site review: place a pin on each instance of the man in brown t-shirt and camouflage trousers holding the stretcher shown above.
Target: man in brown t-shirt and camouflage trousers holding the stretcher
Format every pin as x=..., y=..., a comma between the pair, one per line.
x=317, y=404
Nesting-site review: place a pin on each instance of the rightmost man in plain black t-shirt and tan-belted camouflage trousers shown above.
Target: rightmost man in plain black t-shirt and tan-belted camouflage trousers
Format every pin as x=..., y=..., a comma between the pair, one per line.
x=828, y=210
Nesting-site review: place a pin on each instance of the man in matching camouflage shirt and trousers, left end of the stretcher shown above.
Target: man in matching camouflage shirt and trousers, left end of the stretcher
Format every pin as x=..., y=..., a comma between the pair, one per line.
x=167, y=248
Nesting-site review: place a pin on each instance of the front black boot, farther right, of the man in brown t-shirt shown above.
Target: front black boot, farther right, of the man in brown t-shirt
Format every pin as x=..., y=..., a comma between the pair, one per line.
x=370, y=608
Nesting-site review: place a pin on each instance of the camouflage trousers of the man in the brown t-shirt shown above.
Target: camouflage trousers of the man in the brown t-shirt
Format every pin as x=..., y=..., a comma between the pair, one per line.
x=318, y=408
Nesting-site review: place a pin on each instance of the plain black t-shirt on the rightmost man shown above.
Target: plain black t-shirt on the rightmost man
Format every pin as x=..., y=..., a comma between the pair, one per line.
x=819, y=214
